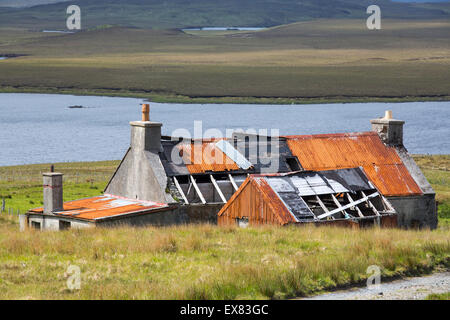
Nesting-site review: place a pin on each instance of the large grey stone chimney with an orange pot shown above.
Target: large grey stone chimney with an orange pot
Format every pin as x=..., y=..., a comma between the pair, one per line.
x=146, y=135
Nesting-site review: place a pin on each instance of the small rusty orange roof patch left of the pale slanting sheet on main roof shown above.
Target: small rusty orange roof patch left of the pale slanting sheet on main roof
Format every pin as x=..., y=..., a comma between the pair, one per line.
x=205, y=156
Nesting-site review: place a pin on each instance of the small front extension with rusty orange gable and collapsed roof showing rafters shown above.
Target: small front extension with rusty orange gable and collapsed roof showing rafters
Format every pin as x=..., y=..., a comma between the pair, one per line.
x=307, y=197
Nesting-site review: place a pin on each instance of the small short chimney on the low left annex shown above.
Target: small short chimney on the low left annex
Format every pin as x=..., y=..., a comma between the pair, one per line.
x=53, y=192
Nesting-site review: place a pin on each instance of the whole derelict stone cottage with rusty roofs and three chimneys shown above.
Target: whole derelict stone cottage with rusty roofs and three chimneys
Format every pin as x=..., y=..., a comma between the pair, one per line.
x=359, y=178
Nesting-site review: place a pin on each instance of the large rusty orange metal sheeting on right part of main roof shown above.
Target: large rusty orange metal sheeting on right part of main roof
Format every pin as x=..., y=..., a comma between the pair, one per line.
x=381, y=163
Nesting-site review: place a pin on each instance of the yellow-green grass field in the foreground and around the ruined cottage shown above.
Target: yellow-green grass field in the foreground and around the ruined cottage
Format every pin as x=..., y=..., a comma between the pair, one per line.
x=201, y=261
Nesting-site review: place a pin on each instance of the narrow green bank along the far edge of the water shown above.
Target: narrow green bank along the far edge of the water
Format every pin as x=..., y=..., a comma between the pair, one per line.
x=166, y=98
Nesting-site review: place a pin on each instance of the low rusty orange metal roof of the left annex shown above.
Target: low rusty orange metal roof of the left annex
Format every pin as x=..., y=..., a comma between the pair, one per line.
x=103, y=207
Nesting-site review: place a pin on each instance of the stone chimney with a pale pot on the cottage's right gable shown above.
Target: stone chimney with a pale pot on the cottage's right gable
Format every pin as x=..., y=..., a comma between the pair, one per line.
x=389, y=129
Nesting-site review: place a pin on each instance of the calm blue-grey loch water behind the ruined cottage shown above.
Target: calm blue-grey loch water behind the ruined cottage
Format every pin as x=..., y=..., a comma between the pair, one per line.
x=40, y=128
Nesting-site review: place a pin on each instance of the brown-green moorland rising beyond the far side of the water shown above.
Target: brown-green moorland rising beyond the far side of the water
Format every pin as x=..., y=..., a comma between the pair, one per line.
x=305, y=62
